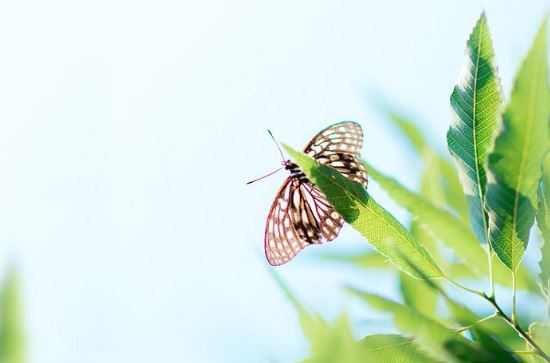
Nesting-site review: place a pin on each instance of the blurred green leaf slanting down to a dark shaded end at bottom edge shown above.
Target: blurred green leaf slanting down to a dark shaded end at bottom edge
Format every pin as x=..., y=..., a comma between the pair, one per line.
x=440, y=341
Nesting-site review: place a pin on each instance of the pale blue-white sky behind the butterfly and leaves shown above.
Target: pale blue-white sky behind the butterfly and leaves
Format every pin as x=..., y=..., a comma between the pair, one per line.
x=129, y=129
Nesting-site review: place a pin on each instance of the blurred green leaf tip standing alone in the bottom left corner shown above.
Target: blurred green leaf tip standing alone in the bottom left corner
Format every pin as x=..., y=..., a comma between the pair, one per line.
x=11, y=327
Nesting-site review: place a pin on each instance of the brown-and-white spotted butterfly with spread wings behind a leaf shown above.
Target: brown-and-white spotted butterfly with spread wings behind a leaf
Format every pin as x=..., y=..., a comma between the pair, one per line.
x=301, y=214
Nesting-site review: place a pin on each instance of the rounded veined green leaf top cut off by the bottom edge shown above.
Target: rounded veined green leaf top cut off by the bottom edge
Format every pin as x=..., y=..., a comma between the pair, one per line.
x=391, y=348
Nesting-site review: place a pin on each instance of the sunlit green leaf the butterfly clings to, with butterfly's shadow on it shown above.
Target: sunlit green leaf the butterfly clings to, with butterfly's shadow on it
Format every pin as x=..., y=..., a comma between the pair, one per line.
x=361, y=211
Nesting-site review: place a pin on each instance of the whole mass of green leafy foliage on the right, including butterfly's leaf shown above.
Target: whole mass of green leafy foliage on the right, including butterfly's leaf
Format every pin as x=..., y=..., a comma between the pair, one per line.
x=500, y=158
